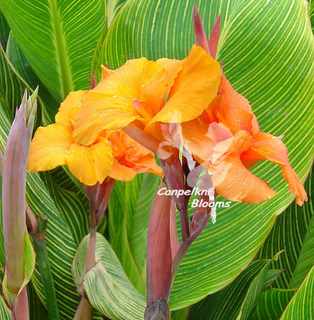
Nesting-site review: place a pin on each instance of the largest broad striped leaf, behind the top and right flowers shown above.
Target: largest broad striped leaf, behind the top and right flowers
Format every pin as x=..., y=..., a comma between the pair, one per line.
x=273, y=66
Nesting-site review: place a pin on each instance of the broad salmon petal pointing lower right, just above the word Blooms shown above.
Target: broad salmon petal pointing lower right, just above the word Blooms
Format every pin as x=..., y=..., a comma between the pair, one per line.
x=234, y=182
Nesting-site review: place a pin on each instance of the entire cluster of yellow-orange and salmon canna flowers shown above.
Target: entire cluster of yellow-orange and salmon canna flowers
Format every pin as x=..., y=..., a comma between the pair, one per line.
x=217, y=127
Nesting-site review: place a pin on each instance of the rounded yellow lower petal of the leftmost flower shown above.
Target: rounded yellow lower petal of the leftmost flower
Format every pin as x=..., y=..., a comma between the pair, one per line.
x=91, y=164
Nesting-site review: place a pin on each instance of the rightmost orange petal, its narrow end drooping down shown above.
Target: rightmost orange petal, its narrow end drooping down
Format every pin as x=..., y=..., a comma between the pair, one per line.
x=268, y=147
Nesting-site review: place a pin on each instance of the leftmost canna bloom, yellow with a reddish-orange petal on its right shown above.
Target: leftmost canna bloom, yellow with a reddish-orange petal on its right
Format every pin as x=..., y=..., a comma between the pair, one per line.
x=112, y=154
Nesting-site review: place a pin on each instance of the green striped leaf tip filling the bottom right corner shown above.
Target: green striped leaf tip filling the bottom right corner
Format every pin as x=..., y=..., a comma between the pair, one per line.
x=301, y=306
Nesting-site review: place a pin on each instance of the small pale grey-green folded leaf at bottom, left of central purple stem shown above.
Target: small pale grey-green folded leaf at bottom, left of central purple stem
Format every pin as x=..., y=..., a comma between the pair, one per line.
x=107, y=286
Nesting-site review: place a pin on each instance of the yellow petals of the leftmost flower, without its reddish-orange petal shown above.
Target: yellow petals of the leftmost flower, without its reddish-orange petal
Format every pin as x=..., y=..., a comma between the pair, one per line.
x=55, y=145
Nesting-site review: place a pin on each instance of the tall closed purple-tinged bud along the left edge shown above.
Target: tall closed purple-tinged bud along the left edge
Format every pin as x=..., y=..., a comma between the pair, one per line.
x=13, y=198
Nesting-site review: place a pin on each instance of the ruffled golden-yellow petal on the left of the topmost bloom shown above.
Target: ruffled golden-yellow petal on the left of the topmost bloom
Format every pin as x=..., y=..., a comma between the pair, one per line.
x=110, y=105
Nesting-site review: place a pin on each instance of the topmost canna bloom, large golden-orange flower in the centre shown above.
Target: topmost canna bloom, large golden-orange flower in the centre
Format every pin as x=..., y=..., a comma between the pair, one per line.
x=149, y=92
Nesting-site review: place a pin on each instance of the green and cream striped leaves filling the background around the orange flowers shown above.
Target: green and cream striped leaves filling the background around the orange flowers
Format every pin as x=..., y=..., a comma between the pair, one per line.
x=232, y=271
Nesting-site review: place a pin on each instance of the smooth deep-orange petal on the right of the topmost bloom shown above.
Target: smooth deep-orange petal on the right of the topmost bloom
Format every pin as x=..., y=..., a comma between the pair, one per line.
x=194, y=89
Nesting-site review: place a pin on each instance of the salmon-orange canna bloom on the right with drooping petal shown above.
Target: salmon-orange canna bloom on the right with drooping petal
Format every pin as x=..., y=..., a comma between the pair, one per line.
x=227, y=139
